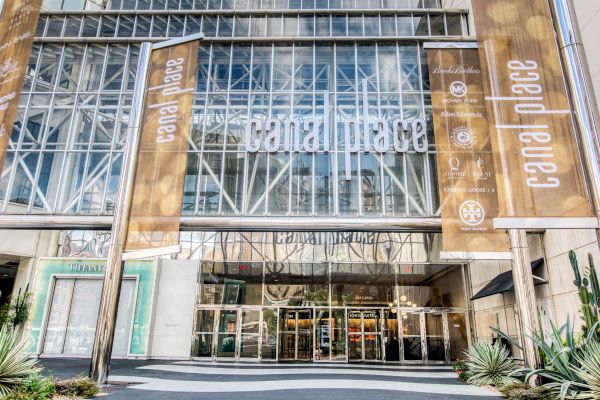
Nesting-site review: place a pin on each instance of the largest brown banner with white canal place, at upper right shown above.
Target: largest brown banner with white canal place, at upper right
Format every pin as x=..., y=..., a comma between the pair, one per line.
x=540, y=181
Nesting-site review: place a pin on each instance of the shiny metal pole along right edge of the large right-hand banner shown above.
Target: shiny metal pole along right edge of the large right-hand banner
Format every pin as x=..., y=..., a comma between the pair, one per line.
x=583, y=98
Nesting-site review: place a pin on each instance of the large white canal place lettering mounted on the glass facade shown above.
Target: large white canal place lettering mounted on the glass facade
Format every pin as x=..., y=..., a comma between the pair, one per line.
x=312, y=134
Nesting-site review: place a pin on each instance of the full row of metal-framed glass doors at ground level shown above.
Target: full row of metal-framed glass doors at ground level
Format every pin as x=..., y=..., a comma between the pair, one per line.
x=420, y=336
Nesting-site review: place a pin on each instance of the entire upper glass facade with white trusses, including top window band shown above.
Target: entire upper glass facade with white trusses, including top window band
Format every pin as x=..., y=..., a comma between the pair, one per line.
x=66, y=147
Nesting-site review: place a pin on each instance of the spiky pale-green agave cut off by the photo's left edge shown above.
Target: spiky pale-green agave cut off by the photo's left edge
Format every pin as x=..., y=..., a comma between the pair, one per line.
x=15, y=364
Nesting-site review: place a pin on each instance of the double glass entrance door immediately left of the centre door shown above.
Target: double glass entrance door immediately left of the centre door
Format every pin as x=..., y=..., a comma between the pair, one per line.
x=295, y=334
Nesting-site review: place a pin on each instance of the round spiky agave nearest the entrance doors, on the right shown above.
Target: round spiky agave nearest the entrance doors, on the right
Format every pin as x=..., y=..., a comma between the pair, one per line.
x=490, y=364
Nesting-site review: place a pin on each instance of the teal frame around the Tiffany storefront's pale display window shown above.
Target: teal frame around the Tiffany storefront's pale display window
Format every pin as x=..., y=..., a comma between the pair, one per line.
x=49, y=268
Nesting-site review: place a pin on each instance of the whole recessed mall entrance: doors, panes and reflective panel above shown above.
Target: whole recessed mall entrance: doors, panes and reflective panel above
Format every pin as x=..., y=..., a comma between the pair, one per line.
x=328, y=298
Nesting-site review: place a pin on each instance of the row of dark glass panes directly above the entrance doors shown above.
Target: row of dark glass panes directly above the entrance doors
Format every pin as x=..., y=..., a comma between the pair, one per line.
x=307, y=284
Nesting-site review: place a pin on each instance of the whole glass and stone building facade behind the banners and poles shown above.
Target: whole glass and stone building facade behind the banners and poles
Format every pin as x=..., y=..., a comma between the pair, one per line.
x=313, y=254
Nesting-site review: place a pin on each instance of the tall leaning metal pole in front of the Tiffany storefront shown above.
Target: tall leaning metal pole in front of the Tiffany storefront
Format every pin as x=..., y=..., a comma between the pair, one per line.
x=105, y=327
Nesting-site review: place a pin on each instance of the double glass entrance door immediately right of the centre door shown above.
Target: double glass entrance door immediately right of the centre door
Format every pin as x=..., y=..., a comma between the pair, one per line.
x=364, y=335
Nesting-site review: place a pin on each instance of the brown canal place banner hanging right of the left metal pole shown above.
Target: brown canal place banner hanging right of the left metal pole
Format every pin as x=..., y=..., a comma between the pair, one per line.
x=166, y=124
